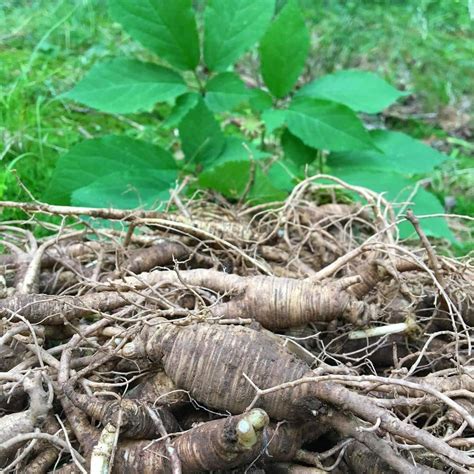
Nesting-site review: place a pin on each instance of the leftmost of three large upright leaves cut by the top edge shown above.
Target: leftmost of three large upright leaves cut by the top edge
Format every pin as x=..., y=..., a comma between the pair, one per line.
x=166, y=27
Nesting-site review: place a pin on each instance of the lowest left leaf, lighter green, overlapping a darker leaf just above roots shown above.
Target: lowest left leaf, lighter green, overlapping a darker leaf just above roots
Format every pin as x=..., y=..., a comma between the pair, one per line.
x=125, y=190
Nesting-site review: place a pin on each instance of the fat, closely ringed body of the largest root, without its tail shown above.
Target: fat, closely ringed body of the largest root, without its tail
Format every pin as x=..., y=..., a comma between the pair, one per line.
x=221, y=357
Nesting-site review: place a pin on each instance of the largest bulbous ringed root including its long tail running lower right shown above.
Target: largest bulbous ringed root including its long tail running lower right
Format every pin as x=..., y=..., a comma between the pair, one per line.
x=221, y=366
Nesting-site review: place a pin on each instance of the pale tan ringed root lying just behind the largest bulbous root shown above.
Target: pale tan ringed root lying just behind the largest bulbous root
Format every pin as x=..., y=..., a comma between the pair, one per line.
x=276, y=303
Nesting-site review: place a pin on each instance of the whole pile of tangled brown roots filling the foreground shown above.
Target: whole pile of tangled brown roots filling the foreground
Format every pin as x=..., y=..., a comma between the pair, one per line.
x=300, y=336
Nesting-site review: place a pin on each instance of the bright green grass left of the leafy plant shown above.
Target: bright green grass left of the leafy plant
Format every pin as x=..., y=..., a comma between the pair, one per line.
x=47, y=46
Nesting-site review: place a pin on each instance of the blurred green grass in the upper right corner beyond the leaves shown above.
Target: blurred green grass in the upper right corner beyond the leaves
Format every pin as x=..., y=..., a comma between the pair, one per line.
x=423, y=45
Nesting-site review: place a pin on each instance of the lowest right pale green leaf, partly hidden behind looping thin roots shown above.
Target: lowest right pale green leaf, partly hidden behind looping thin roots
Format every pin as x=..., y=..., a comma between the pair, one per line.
x=398, y=188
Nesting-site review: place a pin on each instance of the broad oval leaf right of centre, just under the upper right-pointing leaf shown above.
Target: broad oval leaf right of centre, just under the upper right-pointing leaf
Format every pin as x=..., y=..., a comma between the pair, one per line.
x=327, y=125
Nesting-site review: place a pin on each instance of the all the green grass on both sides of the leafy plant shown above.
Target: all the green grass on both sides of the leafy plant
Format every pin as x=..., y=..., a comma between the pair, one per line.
x=424, y=46
